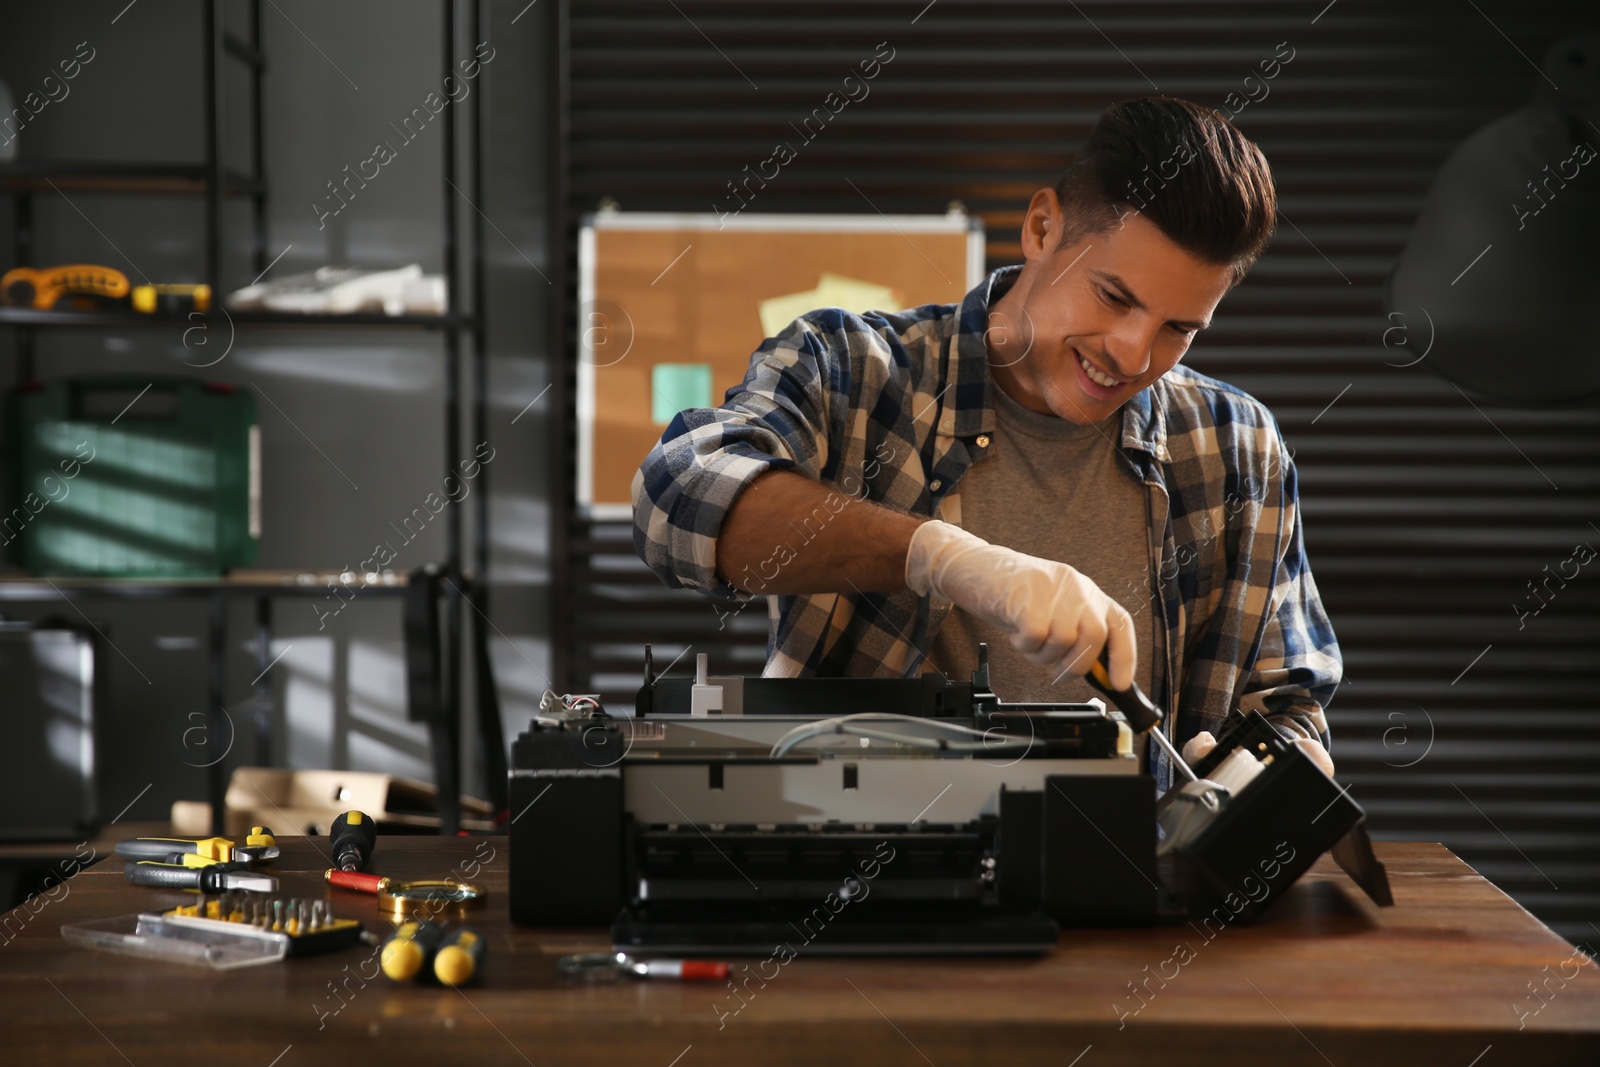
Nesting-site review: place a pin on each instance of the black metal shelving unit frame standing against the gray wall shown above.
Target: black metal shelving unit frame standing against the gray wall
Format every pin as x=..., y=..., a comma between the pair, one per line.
x=214, y=180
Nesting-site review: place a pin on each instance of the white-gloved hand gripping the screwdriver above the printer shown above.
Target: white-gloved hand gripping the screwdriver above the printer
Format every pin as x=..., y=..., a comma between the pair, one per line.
x=1054, y=615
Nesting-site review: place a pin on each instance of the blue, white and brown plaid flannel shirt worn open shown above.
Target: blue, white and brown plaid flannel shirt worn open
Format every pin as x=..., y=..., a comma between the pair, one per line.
x=895, y=409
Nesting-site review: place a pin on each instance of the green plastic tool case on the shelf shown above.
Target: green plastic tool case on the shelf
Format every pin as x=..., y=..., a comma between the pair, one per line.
x=130, y=478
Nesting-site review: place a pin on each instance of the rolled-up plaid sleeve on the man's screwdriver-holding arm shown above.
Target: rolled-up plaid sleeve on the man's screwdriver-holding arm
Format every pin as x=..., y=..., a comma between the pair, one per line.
x=775, y=420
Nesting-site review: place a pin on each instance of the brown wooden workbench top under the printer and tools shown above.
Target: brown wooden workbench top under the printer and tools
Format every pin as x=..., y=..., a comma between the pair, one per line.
x=1324, y=978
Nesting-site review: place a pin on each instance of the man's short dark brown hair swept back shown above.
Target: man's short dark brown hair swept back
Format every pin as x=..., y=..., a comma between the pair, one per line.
x=1186, y=169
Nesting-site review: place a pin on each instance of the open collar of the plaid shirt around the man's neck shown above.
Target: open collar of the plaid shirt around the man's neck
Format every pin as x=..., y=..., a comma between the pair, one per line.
x=970, y=412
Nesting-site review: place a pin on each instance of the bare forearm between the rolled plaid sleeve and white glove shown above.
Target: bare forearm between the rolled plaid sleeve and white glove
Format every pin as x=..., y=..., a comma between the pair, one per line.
x=791, y=535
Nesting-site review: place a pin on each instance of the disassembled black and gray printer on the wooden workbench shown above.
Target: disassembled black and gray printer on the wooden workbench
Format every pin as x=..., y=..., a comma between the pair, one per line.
x=900, y=817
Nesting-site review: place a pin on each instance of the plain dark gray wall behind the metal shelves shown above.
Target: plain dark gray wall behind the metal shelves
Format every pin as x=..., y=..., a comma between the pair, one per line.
x=353, y=422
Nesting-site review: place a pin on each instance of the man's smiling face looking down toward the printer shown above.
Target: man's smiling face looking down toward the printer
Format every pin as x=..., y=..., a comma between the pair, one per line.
x=1089, y=326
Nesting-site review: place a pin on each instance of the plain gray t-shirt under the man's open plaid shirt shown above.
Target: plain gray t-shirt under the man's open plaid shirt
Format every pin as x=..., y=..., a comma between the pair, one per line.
x=1057, y=490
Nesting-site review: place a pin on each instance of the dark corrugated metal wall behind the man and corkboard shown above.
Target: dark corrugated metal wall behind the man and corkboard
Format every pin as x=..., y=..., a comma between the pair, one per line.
x=1426, y=514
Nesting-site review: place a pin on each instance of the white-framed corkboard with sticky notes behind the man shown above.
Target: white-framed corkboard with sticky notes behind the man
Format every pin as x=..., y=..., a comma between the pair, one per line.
x=678, y=290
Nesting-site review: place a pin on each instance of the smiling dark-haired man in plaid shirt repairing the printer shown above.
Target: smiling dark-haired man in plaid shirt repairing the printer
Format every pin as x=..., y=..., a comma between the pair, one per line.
x=1030, y=468
